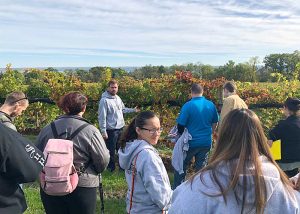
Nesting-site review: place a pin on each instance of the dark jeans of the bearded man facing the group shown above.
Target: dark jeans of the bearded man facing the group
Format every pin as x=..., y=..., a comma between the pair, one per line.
x=113, y=146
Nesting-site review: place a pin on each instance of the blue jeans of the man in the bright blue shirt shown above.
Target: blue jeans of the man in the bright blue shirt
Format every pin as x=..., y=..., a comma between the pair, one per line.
x=199, y=154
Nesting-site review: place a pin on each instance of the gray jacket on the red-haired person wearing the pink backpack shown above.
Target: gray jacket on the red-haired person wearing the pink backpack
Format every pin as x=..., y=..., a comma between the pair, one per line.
x=89, y=147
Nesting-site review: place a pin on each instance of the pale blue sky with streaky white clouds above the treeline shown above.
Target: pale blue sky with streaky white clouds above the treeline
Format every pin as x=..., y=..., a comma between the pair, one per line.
x=79, y=33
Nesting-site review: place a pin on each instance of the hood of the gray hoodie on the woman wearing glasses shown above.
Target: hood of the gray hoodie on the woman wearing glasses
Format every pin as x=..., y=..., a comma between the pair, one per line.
x=127, y=154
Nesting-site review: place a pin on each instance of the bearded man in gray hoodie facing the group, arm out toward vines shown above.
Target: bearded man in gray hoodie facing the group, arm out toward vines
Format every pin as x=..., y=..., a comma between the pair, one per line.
x=111, y=121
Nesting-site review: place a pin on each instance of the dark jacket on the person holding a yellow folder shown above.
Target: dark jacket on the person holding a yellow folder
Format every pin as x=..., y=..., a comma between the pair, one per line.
x=288, y=131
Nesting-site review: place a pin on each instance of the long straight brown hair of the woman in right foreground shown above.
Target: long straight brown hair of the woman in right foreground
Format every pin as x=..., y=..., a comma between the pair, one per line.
x=241, y=142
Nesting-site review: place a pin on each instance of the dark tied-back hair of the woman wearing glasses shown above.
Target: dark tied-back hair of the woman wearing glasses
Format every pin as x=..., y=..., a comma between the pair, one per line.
x=139, y=121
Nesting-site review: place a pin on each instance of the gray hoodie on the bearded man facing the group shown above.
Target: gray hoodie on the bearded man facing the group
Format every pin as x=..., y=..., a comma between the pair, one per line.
x=110, y=112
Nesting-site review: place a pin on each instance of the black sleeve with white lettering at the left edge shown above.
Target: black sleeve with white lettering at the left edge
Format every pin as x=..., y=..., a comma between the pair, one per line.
x=23, y=161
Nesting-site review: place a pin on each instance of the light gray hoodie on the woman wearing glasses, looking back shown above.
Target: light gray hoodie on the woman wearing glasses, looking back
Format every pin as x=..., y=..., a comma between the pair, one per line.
x=152, y=190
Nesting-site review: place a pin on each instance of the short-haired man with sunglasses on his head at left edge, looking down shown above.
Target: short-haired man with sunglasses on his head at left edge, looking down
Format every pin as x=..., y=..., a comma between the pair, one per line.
x=14, y=104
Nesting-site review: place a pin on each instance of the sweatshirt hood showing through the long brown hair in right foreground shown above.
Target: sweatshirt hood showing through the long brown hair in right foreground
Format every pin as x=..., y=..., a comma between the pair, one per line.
x=270, y=175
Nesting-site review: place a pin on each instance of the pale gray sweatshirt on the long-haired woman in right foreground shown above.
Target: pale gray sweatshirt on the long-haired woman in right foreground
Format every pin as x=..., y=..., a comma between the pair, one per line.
x=195, y=198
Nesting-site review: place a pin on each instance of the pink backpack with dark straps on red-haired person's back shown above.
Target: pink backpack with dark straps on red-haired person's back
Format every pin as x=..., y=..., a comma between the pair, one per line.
x=59, y=176
